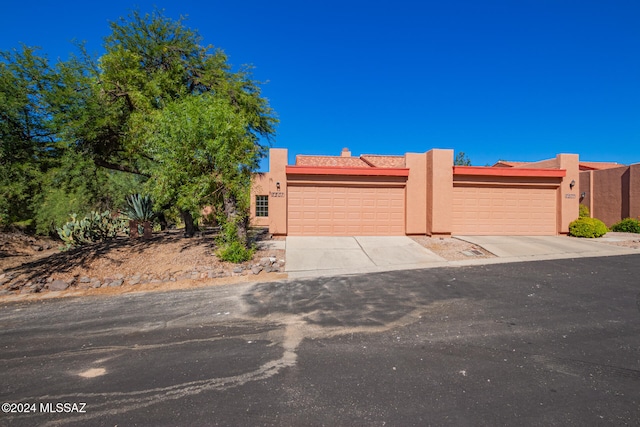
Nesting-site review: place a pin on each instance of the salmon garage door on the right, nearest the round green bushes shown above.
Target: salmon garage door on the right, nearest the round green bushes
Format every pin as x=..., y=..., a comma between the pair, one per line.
x=504, y=211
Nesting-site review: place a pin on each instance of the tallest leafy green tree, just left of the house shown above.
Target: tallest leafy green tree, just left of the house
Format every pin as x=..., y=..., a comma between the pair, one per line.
x=160, y=105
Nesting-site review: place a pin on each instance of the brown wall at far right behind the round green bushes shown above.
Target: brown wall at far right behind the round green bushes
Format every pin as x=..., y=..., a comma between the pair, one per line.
x=613, y=194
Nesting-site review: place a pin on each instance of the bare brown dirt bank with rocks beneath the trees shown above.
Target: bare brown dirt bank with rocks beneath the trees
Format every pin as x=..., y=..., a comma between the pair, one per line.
x=166, y=261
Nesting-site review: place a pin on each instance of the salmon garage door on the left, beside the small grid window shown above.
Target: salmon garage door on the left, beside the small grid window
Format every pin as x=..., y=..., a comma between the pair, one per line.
x=345, y=211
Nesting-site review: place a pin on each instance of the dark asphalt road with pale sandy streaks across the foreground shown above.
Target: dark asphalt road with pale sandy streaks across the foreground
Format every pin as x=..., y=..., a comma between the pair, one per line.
x=538, y=343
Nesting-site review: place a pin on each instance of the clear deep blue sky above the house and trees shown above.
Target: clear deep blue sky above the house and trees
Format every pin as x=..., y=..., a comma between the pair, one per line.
x=513, y=79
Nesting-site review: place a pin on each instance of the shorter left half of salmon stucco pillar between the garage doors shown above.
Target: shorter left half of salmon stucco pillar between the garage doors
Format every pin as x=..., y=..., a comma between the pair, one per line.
x=416, y=194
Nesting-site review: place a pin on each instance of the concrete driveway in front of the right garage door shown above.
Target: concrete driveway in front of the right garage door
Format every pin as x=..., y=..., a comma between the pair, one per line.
x=545, y=247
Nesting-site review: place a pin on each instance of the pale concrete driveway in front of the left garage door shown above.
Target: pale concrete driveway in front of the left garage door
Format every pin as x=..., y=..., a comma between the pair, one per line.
x=321, y=256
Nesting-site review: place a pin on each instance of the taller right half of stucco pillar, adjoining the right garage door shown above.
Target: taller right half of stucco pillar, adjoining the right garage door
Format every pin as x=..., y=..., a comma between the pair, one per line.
x=439, y=192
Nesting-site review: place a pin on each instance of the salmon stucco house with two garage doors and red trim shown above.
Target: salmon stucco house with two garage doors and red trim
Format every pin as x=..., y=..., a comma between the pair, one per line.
x=413, y=194
